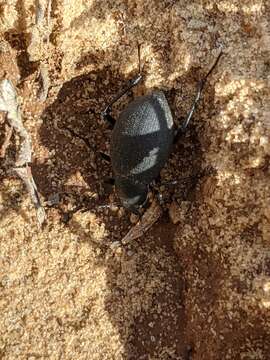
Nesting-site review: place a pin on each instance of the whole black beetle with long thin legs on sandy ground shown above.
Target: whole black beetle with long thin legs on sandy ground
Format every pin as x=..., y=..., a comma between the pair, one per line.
x=142, y=140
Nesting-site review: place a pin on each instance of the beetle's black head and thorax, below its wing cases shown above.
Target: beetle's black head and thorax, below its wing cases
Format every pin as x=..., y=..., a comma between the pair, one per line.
x=133, y=196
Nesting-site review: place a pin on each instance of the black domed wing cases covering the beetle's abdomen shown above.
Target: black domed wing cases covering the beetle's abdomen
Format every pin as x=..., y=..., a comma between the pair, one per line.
x=142, y=139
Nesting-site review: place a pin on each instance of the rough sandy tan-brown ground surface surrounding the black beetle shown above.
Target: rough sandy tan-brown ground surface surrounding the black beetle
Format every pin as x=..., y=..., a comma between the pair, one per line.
x=199, y=289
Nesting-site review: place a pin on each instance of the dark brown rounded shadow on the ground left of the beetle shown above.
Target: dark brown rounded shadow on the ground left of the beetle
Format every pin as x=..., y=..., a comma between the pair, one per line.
x=72, y=133
